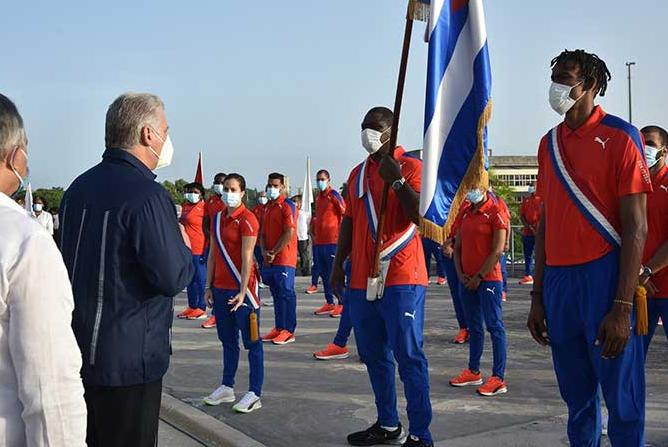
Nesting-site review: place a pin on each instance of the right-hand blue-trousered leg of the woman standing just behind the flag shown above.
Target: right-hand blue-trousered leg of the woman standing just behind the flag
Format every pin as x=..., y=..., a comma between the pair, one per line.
x=490, y=298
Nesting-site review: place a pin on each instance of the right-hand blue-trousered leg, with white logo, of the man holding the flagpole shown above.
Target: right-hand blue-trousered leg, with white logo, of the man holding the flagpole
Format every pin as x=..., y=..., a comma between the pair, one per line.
x=403, y=311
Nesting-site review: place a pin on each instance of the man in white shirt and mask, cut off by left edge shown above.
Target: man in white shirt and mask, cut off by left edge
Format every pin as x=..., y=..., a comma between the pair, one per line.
x=41, y=394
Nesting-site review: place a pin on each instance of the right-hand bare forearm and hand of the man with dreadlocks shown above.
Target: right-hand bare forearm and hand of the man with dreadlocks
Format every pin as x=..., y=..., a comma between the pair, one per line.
x=615, y=328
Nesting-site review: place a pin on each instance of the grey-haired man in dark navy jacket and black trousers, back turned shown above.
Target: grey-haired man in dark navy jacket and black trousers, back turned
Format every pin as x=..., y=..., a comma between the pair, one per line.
x=127, y=258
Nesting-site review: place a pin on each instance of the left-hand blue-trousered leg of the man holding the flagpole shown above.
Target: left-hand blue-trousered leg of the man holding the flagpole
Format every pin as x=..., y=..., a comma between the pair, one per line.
x=371, y=338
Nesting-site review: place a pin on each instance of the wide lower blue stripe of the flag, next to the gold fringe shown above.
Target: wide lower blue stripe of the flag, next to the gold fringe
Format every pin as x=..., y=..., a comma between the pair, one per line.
x=461, y=144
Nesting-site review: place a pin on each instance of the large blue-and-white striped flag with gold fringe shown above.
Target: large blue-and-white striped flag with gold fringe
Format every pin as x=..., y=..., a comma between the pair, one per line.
x=458, y=107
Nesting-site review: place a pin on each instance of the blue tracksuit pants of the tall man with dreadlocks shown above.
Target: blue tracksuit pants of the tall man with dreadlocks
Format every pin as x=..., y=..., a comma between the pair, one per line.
x=576, y=299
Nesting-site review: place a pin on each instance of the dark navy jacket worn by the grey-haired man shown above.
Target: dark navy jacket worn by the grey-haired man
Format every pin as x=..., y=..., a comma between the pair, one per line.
x=126, y=260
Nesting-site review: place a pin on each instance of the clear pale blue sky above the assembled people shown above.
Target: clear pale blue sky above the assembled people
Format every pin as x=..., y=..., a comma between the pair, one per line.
x=258, y=86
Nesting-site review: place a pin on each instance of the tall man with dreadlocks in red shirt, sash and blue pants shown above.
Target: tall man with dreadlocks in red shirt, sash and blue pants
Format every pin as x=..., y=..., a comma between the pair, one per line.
x=593, y=179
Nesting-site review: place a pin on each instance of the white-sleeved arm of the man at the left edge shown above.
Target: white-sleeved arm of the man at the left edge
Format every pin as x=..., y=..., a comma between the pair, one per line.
x=45, y=356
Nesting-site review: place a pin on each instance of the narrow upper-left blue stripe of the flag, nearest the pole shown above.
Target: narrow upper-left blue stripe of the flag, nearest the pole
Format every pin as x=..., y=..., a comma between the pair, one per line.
x=441, y=48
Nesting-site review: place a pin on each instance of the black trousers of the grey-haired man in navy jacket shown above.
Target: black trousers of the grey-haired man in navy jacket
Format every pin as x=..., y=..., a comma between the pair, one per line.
x=122, y=416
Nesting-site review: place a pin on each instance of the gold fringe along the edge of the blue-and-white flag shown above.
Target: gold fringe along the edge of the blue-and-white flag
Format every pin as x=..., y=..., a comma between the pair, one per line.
x=476, y=176
